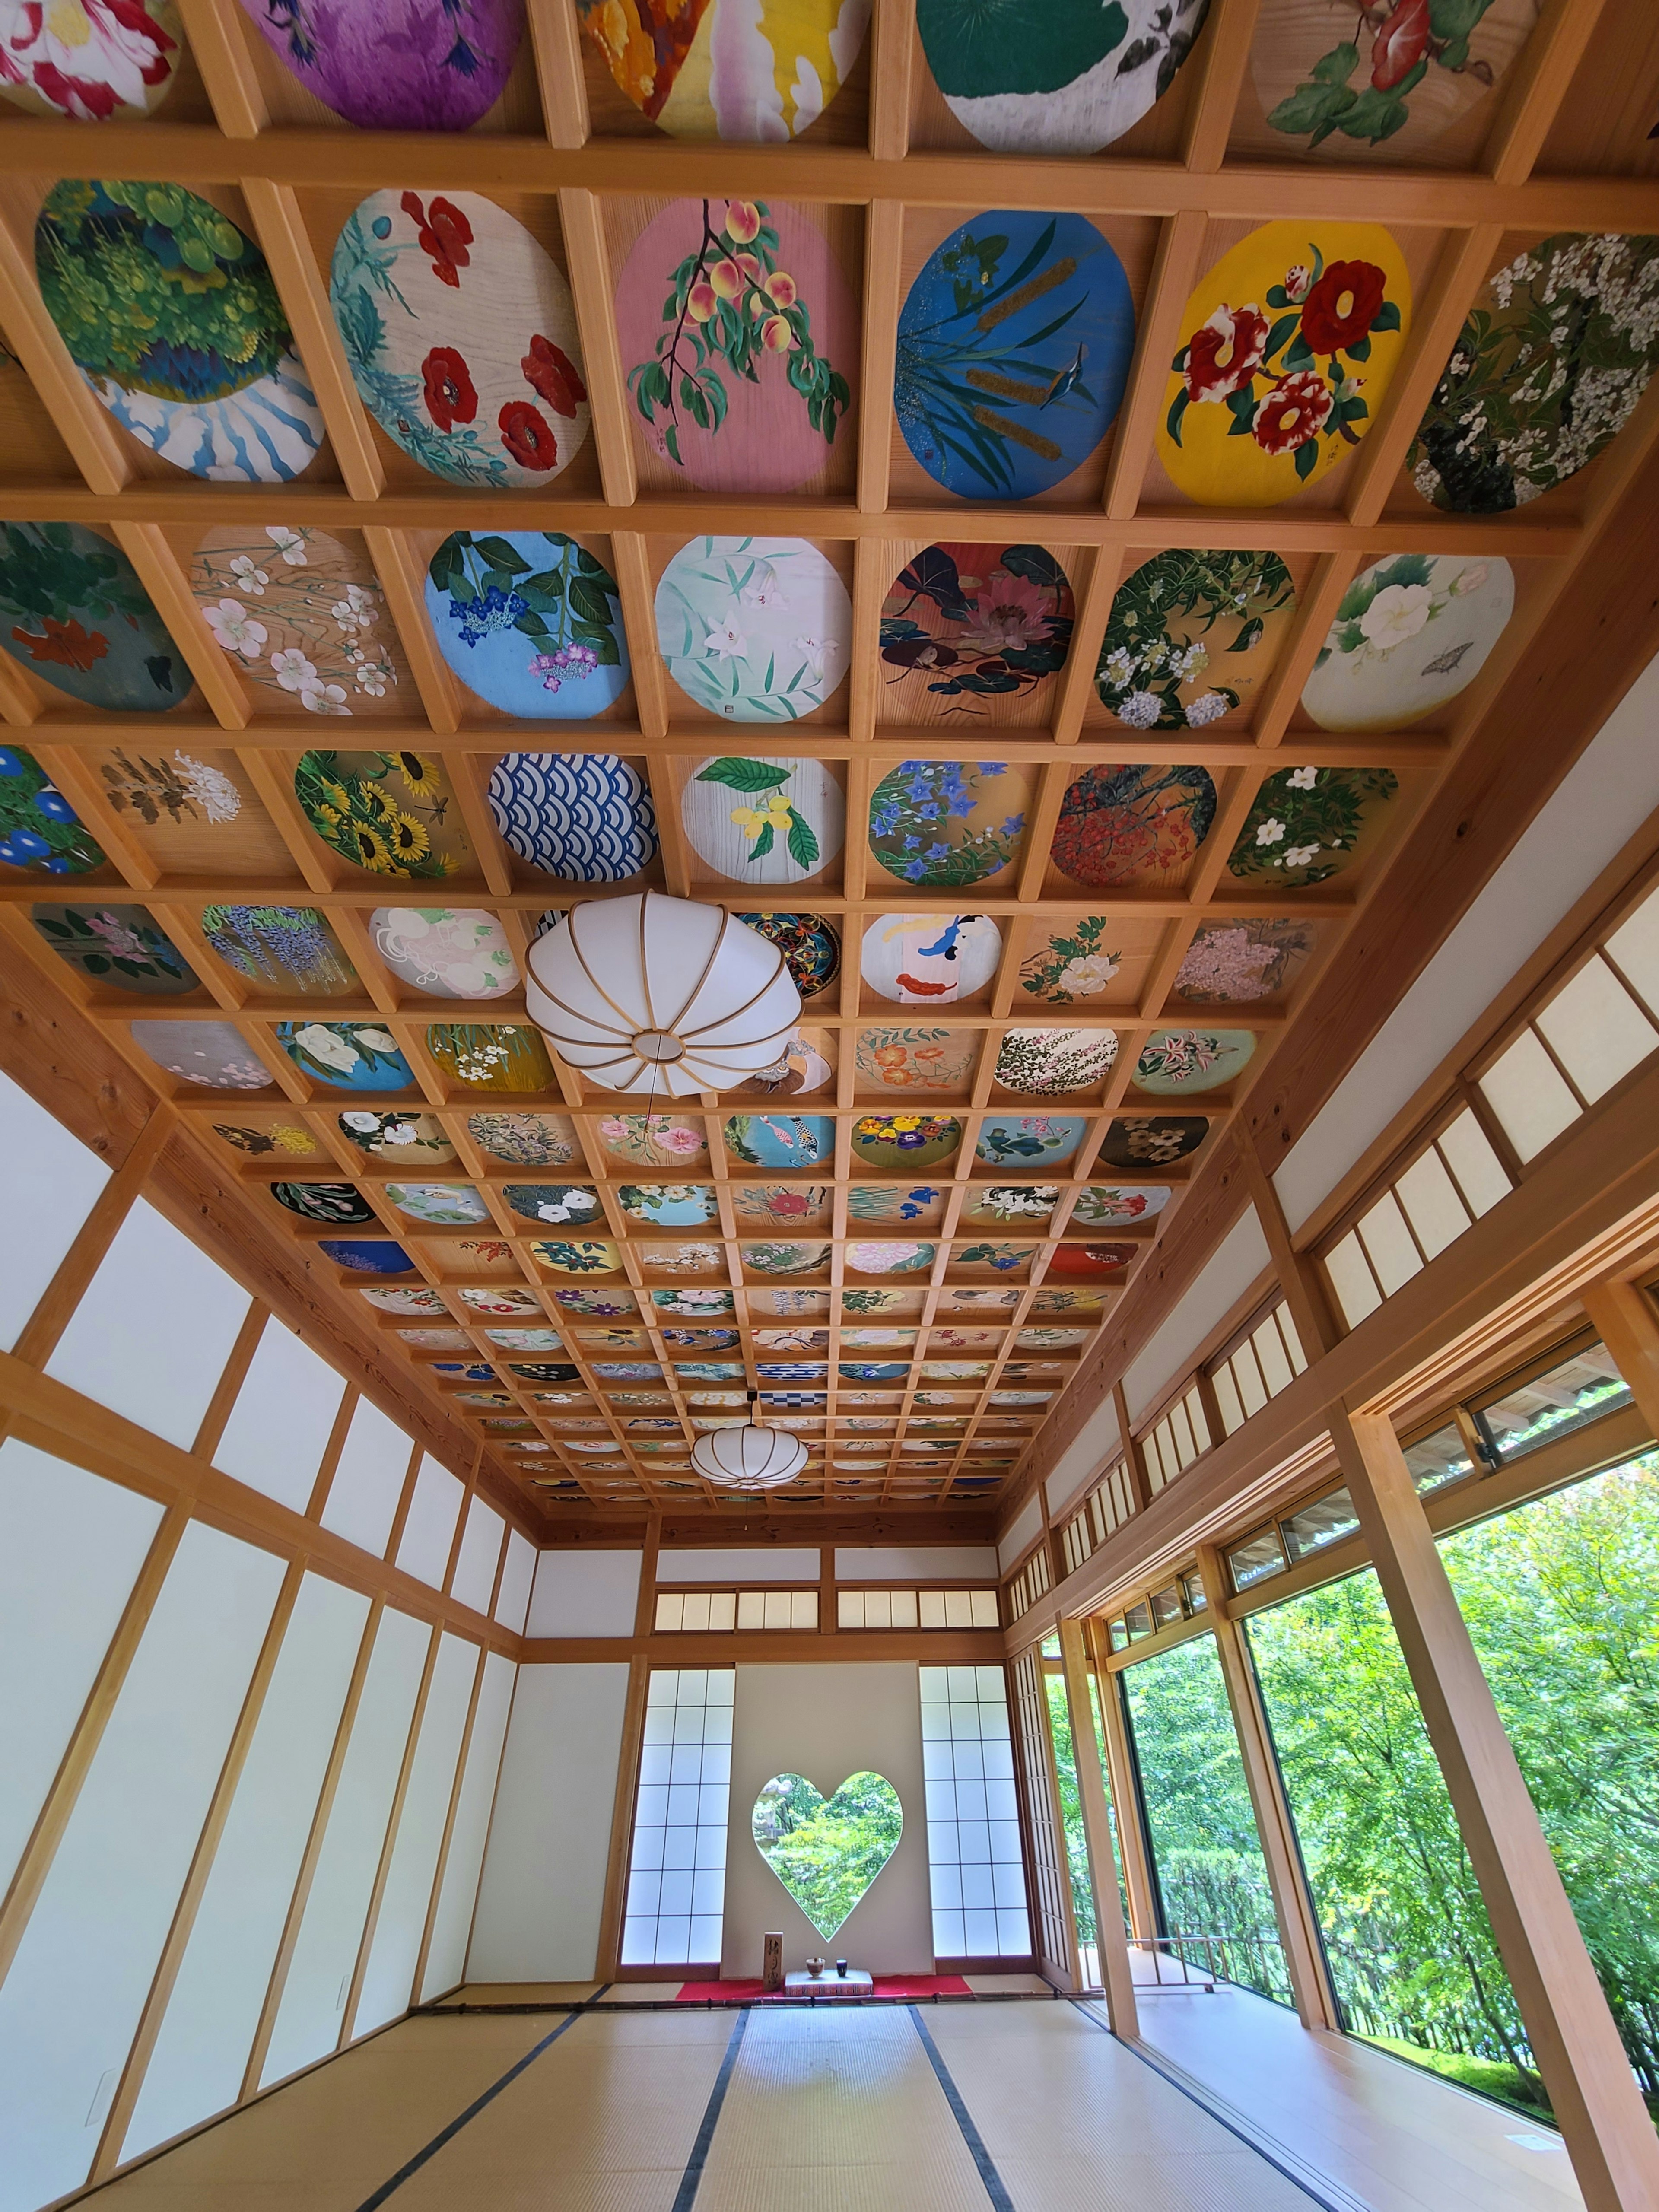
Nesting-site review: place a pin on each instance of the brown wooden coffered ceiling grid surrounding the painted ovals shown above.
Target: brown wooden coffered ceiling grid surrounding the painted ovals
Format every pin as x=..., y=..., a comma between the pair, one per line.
x=968, y=1357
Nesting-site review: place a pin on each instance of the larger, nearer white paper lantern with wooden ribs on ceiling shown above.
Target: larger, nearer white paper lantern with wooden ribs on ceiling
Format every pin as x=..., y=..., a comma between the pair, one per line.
x=662, y=994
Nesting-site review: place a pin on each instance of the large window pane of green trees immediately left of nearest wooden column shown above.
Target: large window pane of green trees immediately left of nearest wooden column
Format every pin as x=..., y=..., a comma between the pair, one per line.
x=1406, y=1930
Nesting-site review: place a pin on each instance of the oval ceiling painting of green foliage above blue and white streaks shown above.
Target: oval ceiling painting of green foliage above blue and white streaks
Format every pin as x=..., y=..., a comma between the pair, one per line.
x=205, y=373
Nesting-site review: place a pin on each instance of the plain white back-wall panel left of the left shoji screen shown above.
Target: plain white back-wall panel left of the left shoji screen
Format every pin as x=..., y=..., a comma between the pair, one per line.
x=550, y=1844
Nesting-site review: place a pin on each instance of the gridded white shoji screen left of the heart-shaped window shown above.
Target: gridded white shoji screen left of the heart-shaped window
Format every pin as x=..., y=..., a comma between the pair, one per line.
x=678, y=1870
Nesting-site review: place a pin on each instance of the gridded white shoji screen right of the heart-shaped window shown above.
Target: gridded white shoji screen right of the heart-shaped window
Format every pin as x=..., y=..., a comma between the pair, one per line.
x=974, y=1855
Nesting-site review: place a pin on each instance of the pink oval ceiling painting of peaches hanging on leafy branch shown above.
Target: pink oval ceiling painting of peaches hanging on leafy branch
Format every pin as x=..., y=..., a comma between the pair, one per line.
x=740, y=342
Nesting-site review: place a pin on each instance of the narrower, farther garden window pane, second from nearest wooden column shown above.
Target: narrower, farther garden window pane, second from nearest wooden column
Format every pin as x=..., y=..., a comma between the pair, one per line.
x=1209, y=1872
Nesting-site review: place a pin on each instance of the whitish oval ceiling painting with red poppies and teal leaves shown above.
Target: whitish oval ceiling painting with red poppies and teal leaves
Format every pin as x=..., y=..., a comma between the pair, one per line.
x=461, y=337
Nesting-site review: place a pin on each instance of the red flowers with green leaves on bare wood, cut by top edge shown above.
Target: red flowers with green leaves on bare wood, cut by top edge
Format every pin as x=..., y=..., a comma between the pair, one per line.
x=1399, y=79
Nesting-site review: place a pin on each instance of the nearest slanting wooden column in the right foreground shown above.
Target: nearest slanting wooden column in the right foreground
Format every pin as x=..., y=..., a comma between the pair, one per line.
x=1587, y=2076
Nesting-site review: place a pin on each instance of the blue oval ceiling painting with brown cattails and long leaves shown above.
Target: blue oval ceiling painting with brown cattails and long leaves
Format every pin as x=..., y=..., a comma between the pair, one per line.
x=1014, y=346
